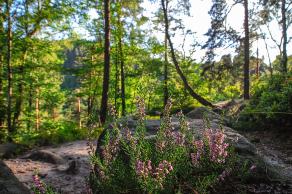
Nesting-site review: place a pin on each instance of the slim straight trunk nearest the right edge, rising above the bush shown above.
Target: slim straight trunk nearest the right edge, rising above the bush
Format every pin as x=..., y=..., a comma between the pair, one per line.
x=284, y=59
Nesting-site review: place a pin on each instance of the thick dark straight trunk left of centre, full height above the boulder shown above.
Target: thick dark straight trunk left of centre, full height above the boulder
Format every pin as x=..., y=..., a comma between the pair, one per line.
x=106, y=71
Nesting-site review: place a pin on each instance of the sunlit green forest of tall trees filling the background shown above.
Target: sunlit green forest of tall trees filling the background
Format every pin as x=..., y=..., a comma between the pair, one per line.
x=54, y=70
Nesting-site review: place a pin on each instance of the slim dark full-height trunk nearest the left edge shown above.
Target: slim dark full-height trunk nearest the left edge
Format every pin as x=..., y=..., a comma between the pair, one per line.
x=9, y=70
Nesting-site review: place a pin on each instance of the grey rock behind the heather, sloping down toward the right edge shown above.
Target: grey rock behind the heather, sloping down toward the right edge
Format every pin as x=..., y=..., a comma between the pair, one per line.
x=247, y=151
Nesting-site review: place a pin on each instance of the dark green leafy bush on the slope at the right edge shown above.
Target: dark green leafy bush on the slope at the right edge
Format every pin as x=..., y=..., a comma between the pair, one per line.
x=270, y=105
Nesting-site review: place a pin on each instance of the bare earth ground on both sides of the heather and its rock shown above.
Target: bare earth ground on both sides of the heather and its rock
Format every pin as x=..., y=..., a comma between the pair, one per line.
x=274, y=146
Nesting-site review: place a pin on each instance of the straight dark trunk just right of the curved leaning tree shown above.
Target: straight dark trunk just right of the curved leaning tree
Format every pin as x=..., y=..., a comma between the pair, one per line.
x=246, y=52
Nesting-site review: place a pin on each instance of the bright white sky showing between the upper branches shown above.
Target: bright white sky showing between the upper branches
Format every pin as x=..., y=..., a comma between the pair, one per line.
x=199, y=22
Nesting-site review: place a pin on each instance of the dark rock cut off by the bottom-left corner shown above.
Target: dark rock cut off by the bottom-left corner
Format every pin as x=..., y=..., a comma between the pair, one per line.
x=9, y=184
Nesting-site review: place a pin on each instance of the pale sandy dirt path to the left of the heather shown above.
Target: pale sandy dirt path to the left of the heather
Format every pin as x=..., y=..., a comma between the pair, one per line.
x=53, y=174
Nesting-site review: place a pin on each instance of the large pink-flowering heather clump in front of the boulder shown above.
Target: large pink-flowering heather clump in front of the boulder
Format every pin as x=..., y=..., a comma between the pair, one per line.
x=172, y=161
